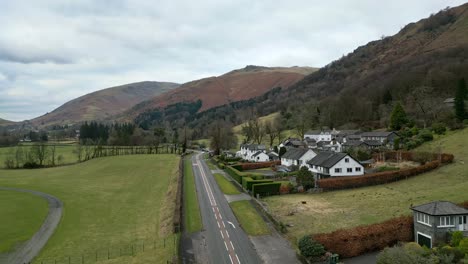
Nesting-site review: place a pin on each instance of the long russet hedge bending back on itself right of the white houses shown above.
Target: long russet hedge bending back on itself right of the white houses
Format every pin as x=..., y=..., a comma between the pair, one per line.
x=338, y=183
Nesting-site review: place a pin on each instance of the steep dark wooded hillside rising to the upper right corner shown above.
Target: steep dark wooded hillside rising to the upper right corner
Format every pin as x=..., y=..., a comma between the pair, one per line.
x=420, y=66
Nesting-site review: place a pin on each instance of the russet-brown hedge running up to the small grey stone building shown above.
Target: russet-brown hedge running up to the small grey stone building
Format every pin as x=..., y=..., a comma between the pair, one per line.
x=359, y=240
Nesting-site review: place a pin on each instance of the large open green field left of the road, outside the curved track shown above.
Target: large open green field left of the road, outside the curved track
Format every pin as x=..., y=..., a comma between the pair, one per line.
x=107, y=202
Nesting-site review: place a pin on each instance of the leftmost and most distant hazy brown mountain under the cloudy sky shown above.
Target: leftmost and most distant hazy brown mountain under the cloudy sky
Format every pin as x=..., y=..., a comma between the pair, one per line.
x=101, y=105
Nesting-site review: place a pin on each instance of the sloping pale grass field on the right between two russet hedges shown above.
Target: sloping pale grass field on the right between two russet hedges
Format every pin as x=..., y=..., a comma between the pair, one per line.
x=330, y=211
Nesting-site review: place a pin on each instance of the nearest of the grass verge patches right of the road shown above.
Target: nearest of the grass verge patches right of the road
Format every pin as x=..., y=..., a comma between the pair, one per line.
x=251, y=221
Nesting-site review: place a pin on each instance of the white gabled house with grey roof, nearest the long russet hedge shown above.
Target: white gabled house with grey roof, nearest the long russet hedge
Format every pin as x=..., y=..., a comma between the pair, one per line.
x=332, y=164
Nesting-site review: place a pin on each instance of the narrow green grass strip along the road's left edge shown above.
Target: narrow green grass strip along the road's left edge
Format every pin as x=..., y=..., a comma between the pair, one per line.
x=192, y=217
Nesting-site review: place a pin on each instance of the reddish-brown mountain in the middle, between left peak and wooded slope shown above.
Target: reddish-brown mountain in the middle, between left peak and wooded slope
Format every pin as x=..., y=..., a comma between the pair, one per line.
x=233, y=86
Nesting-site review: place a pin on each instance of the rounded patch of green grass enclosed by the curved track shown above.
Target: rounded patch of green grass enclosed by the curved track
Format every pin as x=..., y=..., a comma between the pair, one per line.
x=21, y=215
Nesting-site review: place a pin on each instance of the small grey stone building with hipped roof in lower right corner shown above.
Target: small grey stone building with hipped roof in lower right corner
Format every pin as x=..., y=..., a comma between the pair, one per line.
x=433, y=221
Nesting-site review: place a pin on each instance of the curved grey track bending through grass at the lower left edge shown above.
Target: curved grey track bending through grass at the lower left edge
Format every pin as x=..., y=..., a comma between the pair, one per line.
x=28, y=250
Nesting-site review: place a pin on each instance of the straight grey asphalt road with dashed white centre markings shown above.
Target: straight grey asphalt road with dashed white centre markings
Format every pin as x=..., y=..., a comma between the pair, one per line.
x=224, y=241
